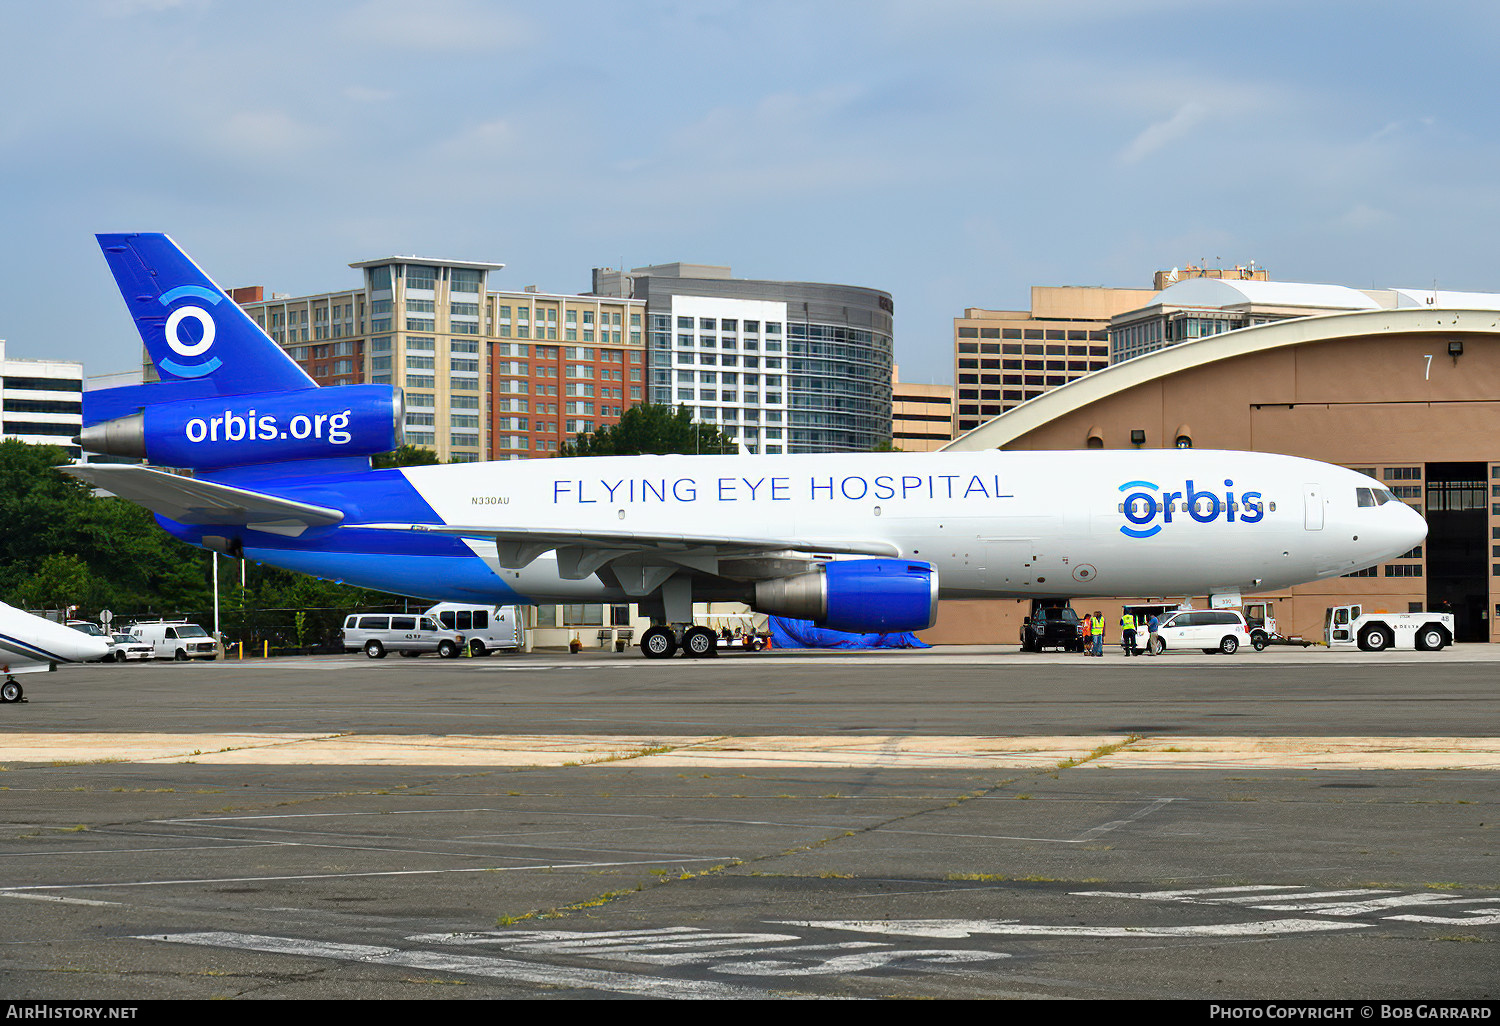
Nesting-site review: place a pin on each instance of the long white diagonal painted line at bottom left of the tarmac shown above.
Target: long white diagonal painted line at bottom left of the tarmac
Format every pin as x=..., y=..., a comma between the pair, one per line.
x=527, y=973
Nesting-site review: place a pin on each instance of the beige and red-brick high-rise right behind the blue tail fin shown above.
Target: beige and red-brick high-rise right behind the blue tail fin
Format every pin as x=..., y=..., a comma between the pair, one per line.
x=487, y=374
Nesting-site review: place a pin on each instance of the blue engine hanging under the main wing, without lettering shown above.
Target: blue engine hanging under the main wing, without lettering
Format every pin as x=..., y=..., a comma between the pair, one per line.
x=860, y=596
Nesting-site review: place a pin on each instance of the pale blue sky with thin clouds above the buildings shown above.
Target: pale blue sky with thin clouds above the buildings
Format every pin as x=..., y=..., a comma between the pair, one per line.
x=950, y=152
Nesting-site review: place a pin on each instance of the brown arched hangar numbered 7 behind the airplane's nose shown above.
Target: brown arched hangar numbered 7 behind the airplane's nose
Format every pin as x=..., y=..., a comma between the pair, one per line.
x=1409, y=397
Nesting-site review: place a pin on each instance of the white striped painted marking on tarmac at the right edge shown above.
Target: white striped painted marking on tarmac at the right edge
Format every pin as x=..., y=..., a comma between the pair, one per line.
x=1300, y=899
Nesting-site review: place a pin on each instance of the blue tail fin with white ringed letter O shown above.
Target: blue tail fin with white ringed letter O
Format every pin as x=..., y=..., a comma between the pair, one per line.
x=193, y=331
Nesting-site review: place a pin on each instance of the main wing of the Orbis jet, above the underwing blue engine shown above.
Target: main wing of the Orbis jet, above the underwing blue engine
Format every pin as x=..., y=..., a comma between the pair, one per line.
x=581, y=553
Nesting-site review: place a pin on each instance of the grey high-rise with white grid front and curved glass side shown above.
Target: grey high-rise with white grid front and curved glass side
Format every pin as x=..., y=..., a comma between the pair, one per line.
x=779, y=367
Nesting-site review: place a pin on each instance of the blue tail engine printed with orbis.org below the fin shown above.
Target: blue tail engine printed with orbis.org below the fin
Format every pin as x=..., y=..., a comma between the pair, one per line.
x=260, y=428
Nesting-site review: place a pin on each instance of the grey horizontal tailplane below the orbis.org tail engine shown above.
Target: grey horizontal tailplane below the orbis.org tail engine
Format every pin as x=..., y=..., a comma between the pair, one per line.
x=190, y=500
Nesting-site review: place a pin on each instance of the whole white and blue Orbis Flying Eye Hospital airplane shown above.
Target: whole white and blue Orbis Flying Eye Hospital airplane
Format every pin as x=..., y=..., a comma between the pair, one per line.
x=856, y=542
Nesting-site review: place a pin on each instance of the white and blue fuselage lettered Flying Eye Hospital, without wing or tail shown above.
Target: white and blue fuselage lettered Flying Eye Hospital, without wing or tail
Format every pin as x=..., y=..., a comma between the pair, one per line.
x=1159, y=523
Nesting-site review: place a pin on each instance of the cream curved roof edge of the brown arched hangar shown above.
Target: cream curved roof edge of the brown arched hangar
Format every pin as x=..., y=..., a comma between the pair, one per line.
x=1304, y=331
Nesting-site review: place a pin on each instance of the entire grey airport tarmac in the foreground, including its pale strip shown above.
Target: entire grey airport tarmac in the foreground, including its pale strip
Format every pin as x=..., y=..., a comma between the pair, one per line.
x=947, y=824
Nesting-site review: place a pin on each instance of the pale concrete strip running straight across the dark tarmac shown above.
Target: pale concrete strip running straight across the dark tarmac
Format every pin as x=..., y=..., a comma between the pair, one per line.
x=593, y=752
